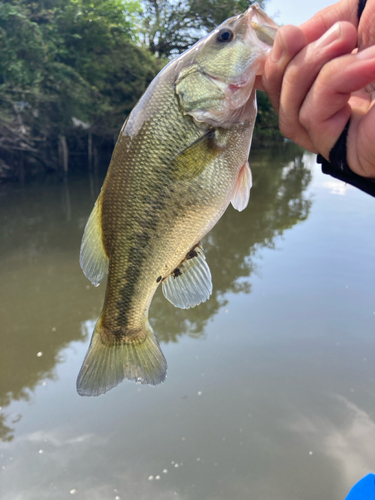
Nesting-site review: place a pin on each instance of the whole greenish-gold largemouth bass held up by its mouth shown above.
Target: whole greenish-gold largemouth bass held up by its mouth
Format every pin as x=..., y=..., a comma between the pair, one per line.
x=180, y=159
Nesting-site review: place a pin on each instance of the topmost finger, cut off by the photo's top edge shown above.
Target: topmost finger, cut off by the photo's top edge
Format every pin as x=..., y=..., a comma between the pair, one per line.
x=345, y=10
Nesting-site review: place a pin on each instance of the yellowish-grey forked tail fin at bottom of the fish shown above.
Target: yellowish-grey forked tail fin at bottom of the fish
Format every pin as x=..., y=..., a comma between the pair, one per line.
x=108, y=363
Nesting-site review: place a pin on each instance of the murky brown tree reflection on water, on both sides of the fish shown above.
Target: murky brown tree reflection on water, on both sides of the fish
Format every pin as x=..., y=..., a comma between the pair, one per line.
x=44, y=297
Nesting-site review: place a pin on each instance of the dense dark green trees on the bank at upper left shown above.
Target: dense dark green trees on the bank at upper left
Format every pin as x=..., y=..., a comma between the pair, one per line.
x=63, y=59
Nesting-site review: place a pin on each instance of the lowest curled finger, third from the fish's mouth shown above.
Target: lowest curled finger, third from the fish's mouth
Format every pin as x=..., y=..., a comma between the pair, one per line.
x=325, y=111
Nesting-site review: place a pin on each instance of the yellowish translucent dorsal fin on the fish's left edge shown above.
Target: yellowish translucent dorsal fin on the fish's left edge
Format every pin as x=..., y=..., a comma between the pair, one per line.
x=93, y=258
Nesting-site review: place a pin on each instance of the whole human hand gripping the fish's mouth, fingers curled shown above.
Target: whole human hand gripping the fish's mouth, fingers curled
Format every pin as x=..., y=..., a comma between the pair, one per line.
x=316, y=83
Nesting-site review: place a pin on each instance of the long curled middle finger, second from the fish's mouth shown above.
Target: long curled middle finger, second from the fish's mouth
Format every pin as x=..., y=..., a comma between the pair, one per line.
x=301, y=74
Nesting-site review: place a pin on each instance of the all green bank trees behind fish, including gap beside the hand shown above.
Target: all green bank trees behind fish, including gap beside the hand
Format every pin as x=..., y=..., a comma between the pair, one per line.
x=70, y=69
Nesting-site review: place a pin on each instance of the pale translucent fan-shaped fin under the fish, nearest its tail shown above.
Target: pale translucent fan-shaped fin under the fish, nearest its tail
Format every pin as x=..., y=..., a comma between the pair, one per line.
x=190, y=283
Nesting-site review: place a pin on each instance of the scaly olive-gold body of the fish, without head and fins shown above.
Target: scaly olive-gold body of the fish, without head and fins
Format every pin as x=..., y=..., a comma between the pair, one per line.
x=153, y=206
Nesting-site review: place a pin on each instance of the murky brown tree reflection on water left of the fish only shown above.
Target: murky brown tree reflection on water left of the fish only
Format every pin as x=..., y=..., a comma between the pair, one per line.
x=40, y=290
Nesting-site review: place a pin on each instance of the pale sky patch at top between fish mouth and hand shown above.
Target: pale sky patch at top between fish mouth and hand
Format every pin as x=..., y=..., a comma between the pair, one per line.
x=294, y=11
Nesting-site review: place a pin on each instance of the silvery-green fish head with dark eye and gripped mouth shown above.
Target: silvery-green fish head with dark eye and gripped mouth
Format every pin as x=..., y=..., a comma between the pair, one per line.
x=216, y=76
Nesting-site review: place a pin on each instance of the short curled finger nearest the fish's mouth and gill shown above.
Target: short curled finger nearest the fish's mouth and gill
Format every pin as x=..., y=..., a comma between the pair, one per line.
x=289, y=41
